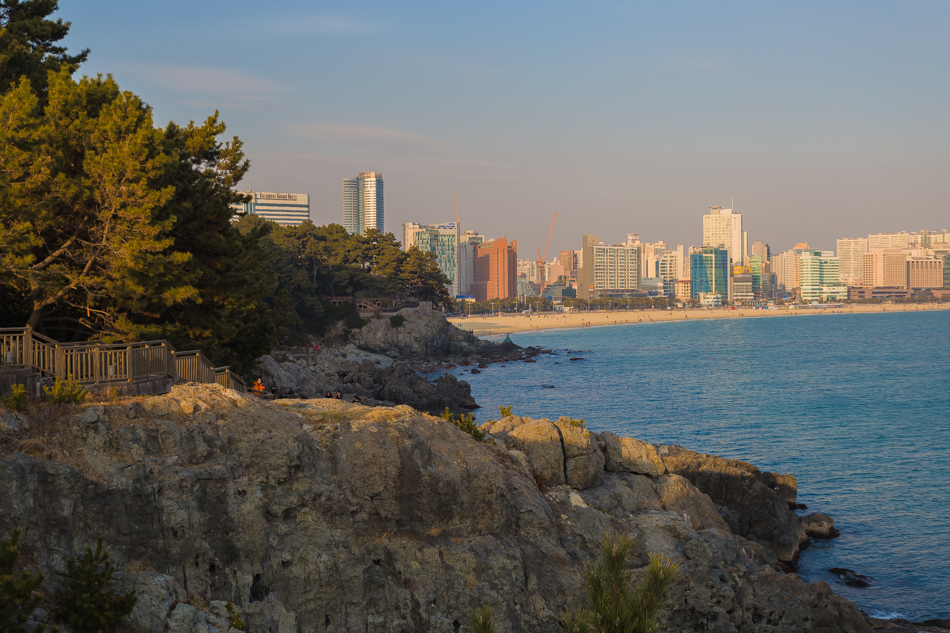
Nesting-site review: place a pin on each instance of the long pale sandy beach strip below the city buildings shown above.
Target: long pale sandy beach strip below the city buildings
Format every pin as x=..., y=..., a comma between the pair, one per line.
x=507, y=323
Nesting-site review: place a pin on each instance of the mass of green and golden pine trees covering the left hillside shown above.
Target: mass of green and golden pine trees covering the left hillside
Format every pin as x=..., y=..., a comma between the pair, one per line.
x=114, y=229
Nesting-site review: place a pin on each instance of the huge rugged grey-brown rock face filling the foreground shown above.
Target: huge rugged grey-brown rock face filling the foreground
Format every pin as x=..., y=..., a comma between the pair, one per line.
x=320, y=515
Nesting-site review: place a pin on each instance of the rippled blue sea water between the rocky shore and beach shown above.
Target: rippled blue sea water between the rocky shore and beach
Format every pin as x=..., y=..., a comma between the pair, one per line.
x=856, y=406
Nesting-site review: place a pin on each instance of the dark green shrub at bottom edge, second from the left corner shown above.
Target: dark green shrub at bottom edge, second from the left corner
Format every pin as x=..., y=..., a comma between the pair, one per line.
x=86, y=605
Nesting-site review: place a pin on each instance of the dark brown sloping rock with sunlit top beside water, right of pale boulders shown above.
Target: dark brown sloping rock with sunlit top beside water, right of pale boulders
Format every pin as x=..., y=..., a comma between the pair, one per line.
x=754, y=506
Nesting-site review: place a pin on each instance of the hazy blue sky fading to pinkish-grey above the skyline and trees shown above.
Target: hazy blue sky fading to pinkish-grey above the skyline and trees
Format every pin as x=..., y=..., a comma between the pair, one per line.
x=819, y=119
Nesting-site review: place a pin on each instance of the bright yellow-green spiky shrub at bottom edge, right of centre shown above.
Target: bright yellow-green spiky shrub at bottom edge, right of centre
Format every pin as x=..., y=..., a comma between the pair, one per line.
x=615, y=605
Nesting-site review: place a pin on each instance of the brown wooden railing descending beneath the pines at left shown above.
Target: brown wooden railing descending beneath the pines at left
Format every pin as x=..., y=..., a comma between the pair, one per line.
x=94, y=363
